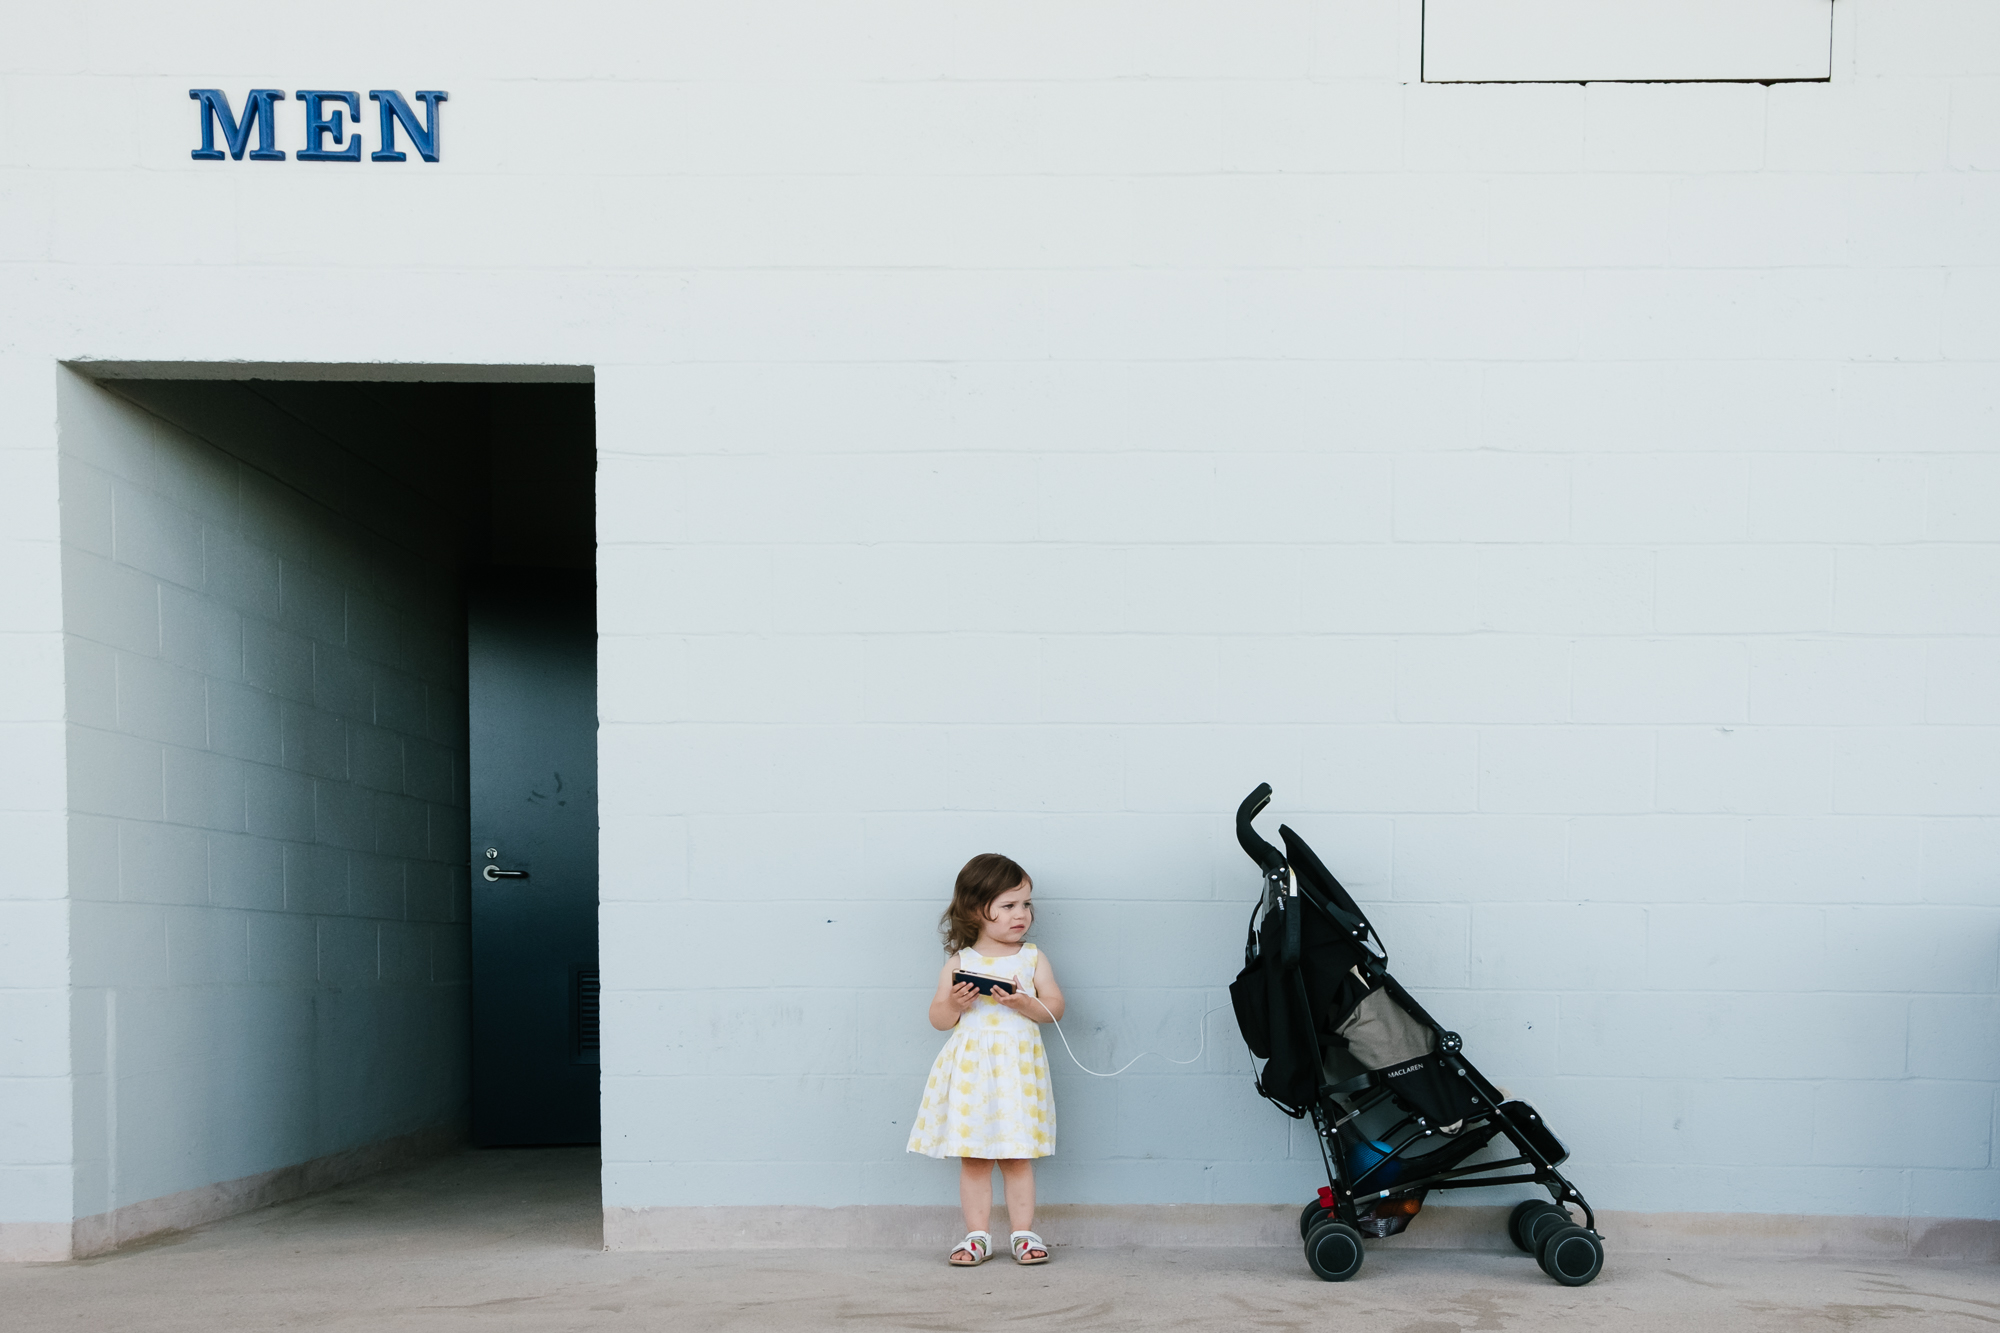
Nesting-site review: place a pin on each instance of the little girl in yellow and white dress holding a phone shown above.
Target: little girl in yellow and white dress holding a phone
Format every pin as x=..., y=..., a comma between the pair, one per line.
x=987, y=1100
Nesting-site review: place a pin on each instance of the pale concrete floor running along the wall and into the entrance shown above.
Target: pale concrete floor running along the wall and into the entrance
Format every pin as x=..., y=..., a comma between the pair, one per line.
x=509, y=1240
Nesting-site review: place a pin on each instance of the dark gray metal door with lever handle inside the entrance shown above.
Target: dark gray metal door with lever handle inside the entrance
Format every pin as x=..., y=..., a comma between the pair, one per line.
x=533, y=694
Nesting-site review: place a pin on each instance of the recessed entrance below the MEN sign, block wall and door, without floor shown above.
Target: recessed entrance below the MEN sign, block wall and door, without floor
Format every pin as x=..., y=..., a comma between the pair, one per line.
x=329, y=639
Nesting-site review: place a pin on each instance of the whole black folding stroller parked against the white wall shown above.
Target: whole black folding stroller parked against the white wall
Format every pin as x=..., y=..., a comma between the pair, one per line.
x=1397, y=1106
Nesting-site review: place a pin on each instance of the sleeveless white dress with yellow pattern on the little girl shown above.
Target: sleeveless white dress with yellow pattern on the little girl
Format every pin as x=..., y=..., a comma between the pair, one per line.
x=989, y=1088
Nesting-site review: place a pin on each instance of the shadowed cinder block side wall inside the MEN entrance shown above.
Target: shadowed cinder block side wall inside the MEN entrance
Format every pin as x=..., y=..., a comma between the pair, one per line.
x=267, y=794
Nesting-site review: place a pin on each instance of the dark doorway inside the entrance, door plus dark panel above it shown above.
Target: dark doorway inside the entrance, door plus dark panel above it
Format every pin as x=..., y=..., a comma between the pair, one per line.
x=533, y=756
